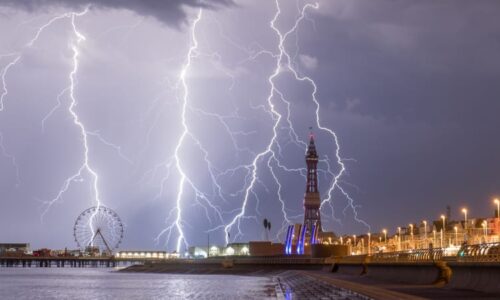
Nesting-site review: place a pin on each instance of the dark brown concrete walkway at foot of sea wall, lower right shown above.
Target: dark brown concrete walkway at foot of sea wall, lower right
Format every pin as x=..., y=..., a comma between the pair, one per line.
x=377, y=289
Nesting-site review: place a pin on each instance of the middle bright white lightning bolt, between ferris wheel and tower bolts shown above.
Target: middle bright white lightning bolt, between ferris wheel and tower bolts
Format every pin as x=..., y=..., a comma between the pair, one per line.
x=176, y=162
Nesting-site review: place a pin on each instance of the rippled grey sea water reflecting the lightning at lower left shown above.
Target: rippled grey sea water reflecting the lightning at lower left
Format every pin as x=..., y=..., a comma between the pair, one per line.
x=71, y=283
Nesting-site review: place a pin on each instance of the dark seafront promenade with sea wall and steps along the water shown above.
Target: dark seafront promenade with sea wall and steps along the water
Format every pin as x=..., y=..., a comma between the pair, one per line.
x=423, y=274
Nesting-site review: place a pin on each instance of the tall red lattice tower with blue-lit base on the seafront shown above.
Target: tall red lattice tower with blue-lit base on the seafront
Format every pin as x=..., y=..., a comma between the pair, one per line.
x=300, y=237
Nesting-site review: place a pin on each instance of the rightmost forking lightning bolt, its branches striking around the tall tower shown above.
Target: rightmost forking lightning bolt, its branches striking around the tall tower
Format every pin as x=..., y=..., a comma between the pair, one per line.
x=285, y=63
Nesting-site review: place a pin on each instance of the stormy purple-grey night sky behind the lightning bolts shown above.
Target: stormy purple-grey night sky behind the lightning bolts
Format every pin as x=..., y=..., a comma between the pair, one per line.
x=410, y=87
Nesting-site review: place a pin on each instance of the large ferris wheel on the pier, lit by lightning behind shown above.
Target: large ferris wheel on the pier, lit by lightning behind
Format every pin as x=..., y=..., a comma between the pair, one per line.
x=98, y=227
